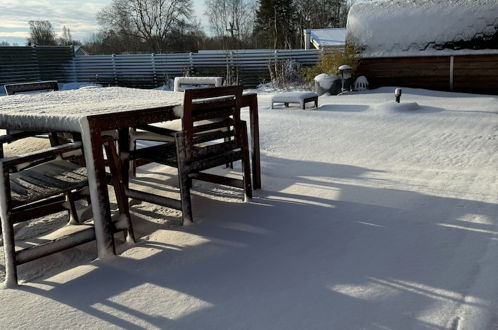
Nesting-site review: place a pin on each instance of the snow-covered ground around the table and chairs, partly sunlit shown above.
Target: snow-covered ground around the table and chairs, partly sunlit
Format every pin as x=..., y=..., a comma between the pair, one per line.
x=373, y=215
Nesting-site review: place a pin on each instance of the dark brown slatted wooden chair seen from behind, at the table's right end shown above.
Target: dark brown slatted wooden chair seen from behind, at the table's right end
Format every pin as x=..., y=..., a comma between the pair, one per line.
x=212, y=135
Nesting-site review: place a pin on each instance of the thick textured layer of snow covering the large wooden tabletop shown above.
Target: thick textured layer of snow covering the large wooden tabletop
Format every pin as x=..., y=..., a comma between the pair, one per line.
x=63, y=110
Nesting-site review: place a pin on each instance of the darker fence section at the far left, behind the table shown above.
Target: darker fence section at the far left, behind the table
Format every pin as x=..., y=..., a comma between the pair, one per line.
x=21, y=64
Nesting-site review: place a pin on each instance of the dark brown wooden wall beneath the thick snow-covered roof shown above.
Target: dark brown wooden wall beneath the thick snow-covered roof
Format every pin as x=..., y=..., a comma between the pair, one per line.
x=468, y=73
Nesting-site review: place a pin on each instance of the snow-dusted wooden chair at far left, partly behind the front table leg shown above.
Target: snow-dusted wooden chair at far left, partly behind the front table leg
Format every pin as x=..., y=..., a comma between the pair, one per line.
x=40, y=190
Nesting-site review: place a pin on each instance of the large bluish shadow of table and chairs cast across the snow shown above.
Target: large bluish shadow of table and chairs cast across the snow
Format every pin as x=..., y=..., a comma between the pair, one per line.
x=291, y=259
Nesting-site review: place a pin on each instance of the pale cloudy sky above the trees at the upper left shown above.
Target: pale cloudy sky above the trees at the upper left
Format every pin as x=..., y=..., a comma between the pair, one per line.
x=77, y=15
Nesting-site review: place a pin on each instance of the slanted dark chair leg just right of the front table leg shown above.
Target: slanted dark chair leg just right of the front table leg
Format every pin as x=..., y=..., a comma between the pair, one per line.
x=117, y=182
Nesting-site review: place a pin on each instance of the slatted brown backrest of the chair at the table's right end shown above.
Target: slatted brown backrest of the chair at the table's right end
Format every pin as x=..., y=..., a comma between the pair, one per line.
x=211, y=120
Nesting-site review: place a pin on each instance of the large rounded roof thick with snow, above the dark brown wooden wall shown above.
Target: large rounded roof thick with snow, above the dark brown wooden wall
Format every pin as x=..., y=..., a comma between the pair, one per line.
x=430, y=27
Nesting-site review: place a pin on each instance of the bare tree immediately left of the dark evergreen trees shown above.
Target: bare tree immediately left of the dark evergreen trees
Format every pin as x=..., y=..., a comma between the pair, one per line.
x=234, y=18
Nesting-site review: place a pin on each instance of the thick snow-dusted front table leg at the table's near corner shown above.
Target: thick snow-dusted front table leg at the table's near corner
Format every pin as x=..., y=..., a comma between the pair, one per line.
x=97, y=181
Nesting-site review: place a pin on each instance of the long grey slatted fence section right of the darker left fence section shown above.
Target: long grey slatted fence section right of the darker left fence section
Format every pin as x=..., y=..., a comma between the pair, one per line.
x=248, y=67
